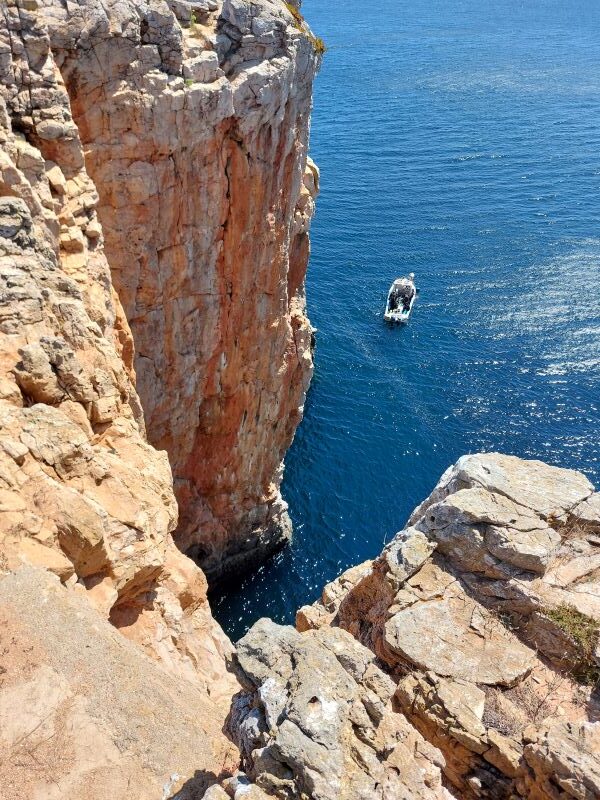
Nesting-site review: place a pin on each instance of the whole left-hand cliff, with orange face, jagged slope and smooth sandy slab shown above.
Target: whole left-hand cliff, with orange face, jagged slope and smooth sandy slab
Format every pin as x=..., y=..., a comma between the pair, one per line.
x=198, y=169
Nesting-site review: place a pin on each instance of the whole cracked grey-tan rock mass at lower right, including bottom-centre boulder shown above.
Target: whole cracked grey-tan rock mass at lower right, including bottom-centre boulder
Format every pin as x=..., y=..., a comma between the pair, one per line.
x=464, y=661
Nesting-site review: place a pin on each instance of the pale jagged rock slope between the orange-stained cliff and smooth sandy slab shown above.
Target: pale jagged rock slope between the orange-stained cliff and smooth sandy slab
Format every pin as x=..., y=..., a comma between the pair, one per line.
x=82, y=493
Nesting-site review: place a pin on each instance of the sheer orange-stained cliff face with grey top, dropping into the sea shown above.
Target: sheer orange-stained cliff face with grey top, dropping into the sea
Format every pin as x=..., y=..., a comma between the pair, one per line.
x=194, y=118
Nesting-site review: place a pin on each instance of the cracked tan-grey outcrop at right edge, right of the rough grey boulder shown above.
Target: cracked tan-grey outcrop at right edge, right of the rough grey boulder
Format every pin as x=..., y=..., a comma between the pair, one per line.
x=483, y=610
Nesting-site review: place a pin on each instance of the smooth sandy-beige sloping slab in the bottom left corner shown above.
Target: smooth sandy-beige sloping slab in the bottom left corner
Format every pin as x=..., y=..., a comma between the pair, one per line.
x=85, y=714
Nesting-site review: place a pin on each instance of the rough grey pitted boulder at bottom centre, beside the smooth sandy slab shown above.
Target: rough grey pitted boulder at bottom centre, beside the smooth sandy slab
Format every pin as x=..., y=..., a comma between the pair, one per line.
x=317, y=720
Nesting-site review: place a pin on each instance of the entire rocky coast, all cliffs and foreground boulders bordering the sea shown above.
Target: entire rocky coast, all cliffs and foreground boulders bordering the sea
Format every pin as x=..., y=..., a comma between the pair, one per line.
x=160, y=148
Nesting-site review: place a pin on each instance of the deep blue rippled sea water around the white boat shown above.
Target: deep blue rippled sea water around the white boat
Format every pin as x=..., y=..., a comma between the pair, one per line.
x=459, y=139
